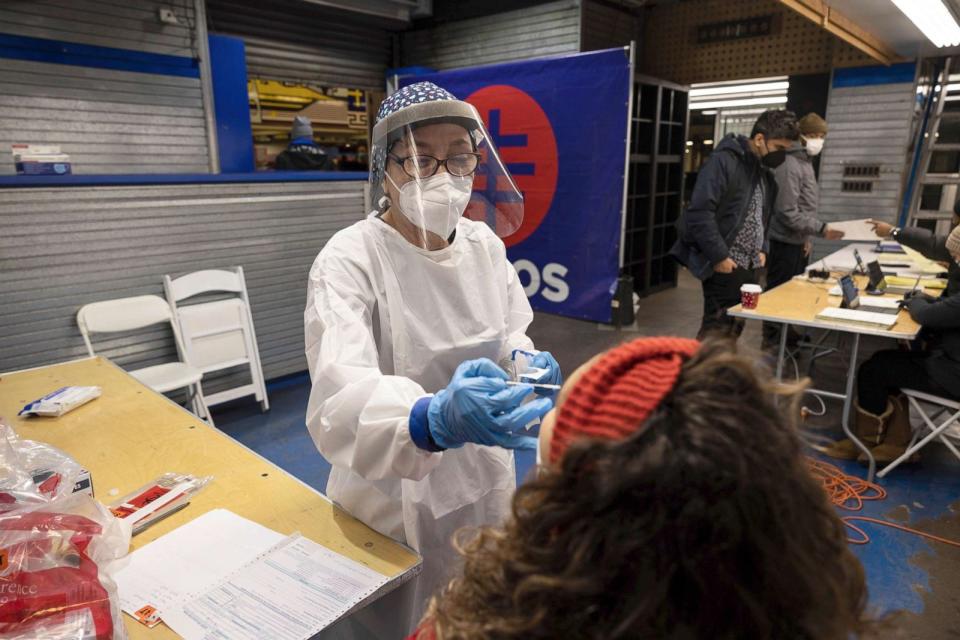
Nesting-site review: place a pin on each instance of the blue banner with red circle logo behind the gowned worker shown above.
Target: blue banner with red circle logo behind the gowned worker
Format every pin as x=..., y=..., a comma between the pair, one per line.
x=560, y=125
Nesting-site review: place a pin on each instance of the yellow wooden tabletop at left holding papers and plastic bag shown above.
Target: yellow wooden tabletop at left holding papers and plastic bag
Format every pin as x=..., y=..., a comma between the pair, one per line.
x=131, y=435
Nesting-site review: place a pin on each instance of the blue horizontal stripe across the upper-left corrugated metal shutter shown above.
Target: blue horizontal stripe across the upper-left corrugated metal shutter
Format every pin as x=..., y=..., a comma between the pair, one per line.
x=86, y=55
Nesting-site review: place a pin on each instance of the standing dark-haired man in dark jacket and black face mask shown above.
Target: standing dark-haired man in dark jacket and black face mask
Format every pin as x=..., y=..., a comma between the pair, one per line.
x=723, y=232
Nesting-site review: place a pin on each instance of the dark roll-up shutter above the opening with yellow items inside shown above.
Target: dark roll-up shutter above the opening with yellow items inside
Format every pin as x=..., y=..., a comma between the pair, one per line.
x=300, y=42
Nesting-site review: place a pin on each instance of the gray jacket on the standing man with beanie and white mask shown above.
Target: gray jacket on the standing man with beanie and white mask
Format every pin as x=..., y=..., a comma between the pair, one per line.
x=795, y=211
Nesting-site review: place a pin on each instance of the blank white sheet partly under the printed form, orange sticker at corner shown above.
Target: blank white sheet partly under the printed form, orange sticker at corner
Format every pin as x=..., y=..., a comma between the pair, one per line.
x=190, y=559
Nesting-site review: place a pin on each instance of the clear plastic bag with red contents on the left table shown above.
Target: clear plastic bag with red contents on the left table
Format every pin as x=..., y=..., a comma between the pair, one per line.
x=55, y=550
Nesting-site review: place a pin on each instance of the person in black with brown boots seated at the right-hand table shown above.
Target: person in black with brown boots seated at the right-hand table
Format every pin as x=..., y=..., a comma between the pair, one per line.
x=882, y=420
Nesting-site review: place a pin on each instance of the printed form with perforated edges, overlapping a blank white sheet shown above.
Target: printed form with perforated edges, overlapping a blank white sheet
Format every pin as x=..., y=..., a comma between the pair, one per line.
x=291, y=593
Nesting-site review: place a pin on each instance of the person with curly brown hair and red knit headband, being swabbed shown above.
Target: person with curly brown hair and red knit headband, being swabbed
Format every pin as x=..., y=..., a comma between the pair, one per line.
x=675, y=503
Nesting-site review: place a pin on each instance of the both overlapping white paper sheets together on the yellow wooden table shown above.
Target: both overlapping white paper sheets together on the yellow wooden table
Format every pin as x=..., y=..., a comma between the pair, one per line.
x=222, y=576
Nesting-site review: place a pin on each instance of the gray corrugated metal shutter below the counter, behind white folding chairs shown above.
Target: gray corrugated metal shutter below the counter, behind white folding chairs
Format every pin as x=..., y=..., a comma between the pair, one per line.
x=62, y=248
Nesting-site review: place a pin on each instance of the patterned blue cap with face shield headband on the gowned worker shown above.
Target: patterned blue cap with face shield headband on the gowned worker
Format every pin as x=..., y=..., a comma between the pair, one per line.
x=410, y=105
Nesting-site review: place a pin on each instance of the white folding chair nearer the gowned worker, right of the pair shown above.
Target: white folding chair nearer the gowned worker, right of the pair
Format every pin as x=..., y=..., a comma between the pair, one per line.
x=218, y=335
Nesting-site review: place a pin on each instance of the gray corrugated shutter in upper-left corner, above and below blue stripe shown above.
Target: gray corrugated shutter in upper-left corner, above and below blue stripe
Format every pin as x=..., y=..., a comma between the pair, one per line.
x=109, y=121
